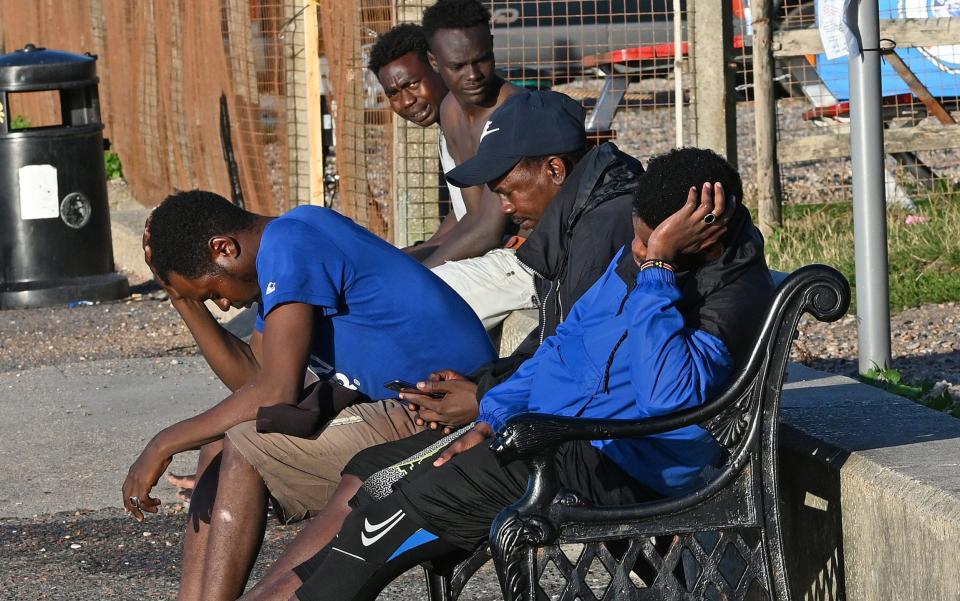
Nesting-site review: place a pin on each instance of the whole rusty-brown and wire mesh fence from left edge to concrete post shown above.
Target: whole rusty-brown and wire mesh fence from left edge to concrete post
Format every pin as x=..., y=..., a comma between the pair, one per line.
x=218, y=94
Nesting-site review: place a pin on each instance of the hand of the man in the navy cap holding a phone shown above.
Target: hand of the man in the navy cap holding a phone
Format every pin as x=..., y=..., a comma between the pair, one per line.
x=457, y=407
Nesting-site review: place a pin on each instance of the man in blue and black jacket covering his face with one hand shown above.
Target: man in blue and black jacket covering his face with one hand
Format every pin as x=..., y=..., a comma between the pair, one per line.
x=662, y=330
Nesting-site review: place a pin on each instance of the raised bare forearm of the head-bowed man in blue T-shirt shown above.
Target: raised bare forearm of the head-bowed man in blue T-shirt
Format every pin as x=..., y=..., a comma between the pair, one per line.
x=229, y=357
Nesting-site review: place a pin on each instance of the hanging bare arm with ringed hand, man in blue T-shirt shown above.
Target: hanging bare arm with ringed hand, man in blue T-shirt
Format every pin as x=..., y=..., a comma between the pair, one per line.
x=286, y=344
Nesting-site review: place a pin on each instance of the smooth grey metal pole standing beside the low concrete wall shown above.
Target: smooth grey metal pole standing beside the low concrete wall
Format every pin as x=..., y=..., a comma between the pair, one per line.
x=869, y=203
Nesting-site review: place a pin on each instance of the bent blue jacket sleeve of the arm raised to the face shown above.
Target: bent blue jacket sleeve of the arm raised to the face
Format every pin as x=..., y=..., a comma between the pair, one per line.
x=672, y=367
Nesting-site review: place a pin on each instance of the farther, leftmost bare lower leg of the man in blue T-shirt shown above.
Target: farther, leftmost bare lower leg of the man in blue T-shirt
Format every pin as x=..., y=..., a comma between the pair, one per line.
x=198, y=523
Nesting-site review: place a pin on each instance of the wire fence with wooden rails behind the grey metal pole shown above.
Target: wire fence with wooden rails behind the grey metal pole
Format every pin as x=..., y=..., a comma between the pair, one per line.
x=921, y=85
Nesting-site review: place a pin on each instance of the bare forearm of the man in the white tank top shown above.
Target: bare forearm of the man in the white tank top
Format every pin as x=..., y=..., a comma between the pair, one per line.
x=477, y=232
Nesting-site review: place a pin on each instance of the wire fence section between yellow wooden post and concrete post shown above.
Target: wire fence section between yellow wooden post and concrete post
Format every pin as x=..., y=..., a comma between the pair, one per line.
x=615, y=56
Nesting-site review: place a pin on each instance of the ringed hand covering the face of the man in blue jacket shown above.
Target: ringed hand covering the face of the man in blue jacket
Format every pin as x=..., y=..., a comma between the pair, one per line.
x=686, y=231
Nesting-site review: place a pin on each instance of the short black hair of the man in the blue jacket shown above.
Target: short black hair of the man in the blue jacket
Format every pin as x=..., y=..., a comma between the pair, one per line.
x=664, y=186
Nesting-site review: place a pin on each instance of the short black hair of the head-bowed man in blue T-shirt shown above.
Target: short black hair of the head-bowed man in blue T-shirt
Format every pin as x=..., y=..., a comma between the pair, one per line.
x=180, y=229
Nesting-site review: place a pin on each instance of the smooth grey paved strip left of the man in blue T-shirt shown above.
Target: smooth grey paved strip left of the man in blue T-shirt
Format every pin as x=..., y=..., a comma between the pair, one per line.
x=68, y=434
